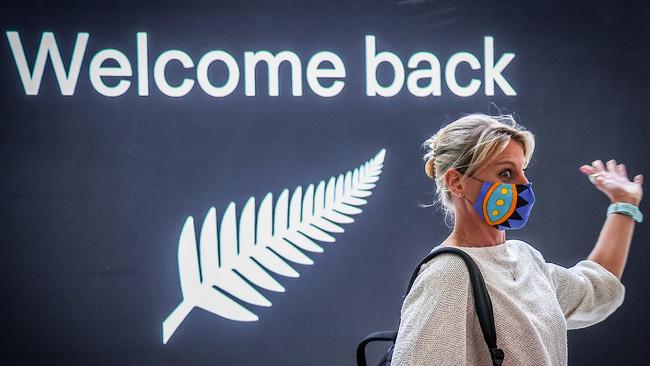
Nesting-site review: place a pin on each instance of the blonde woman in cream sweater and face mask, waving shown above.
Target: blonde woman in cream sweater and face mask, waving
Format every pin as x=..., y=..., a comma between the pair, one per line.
x=478, y=163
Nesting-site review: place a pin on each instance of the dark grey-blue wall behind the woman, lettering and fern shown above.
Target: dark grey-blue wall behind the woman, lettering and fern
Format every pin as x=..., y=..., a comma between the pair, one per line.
x=95, y=190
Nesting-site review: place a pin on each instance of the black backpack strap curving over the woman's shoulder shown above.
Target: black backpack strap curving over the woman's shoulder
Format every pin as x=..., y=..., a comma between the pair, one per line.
x=482, y=300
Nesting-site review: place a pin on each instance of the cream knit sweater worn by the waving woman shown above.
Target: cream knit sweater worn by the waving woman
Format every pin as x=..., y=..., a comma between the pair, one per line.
x=534, y=304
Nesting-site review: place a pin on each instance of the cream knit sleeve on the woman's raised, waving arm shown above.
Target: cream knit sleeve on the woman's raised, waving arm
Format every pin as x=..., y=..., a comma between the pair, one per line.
x=587, y=292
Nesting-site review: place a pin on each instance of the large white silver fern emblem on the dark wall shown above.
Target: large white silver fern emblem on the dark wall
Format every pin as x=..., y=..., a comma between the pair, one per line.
x=266, y=242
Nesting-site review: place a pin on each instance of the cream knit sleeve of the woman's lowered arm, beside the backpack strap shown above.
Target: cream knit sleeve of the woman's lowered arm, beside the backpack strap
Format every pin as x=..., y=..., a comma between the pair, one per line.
x=432, y=330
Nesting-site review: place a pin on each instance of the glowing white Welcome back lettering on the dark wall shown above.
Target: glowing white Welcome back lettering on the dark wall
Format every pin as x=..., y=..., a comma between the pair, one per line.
x=423, y=66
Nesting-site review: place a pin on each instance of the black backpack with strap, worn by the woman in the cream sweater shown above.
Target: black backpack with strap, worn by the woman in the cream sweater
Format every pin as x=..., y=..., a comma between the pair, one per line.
x=482, y=303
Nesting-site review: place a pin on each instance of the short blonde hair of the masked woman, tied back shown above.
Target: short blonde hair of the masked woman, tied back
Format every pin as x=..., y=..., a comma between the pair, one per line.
x=465, y=144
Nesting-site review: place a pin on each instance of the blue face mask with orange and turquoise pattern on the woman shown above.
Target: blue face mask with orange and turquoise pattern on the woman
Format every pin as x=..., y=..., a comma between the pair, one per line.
x=504, y=206
